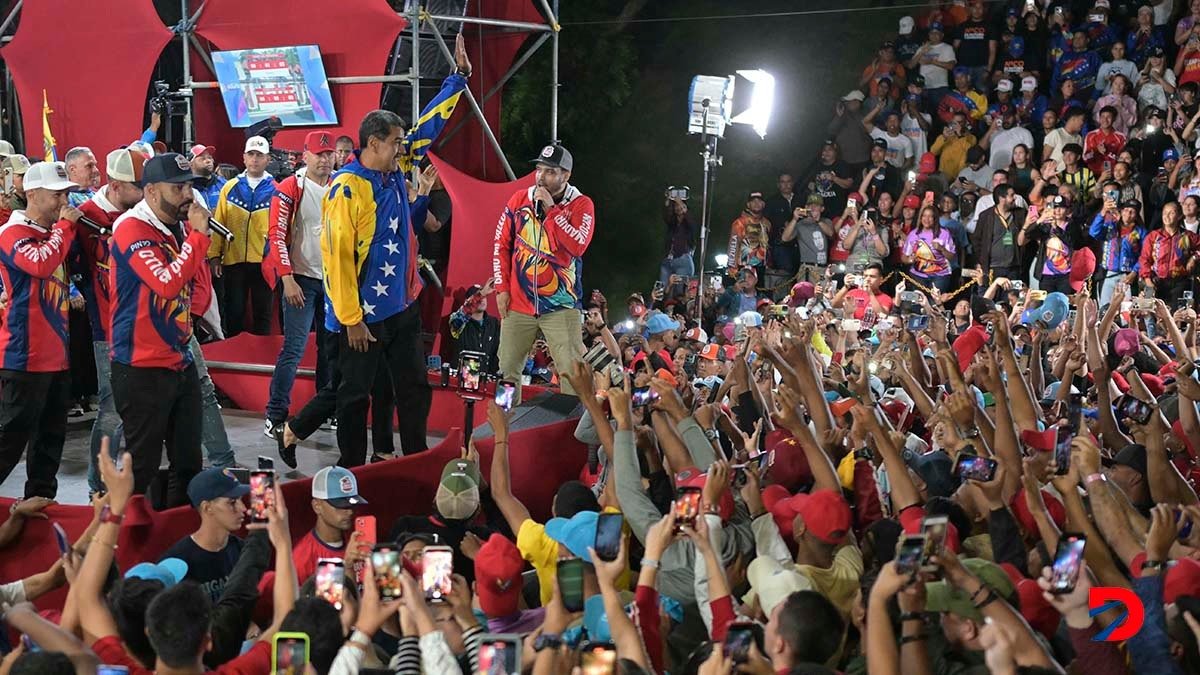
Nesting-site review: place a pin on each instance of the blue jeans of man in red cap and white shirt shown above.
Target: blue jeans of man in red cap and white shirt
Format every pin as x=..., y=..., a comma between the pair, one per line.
x=297, y=326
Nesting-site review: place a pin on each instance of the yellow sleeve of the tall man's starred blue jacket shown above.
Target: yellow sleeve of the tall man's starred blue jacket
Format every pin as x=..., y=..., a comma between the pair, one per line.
x=339, y=247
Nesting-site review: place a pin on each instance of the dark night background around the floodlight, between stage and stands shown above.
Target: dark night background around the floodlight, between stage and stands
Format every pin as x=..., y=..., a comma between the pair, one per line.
x=623, y=112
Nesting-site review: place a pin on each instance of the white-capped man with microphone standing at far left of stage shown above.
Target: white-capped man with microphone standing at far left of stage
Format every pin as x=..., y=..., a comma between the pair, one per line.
x=34, y=363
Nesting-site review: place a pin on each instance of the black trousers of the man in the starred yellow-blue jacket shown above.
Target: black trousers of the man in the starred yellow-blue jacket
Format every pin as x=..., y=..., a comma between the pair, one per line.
x=398, y=353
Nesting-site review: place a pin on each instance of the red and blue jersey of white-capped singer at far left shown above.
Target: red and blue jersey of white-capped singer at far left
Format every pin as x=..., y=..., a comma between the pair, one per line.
x=33, y=268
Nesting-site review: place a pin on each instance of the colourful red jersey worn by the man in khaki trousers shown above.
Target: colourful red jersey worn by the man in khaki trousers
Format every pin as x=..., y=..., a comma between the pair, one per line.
x=541, y=264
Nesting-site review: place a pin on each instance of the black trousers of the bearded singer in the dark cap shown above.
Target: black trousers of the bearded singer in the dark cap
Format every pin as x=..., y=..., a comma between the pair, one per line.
x=160, y=407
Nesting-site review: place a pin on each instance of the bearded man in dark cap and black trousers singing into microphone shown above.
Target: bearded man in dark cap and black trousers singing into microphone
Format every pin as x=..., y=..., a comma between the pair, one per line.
x=158, y=247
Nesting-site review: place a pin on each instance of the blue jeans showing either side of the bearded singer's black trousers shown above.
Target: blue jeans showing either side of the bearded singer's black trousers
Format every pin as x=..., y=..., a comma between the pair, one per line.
x=109, y=423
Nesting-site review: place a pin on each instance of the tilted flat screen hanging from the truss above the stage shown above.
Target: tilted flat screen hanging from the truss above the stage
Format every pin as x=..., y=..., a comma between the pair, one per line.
x=284, y=82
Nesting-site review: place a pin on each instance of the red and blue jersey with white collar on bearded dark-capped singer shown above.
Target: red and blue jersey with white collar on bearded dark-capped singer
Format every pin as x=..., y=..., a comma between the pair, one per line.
x=152, y=278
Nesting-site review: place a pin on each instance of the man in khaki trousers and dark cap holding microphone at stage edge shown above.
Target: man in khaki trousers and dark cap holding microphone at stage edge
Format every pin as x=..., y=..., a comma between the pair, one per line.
x=537, y=262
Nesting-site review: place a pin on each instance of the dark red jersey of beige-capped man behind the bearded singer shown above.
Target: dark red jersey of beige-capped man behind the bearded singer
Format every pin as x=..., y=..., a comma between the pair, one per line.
x=93, y=262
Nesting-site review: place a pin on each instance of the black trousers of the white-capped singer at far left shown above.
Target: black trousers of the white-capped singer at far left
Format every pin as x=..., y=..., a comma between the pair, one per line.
x=34, y=415
